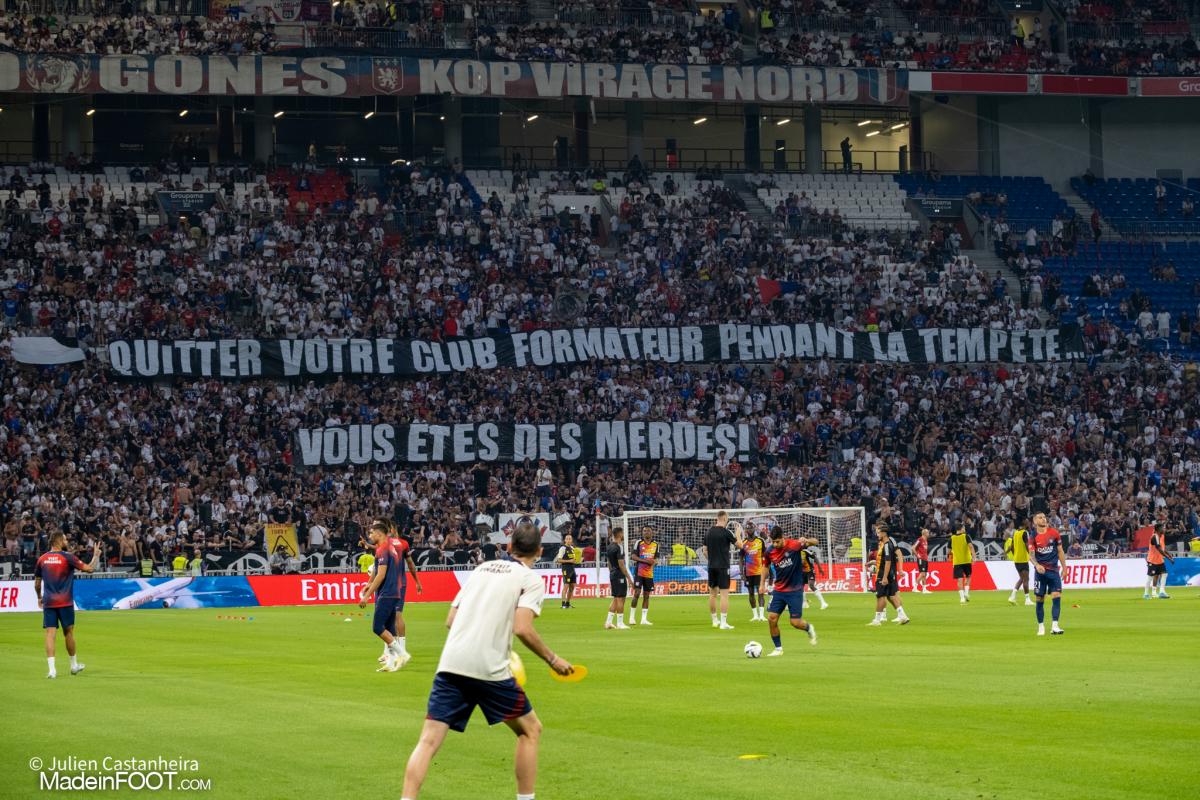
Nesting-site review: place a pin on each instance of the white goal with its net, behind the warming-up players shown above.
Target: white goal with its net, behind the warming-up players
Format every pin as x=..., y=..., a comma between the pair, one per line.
x=682, y=569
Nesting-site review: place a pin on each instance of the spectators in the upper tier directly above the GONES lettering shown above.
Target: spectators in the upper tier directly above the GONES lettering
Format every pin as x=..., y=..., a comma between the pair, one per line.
x=142, y=34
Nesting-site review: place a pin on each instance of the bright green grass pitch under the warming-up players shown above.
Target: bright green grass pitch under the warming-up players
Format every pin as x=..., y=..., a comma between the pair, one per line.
x=963, y=703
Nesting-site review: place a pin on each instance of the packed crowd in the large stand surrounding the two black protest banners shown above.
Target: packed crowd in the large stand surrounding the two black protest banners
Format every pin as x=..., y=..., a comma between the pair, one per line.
x=206, y=465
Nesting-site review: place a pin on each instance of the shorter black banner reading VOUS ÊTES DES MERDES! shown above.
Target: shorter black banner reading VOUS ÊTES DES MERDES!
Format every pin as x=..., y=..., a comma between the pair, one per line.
x=507, y=442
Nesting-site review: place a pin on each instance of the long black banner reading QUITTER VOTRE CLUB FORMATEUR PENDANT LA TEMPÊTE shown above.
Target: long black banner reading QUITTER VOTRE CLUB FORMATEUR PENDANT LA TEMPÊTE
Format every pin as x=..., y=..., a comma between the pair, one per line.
x=308, y=359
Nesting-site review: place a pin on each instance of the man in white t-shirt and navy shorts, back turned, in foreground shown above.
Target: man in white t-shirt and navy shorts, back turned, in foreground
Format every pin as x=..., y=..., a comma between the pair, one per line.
x=501, y=599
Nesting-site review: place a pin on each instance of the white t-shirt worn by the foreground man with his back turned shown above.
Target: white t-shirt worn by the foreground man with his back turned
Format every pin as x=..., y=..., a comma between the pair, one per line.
x=481, y=640
